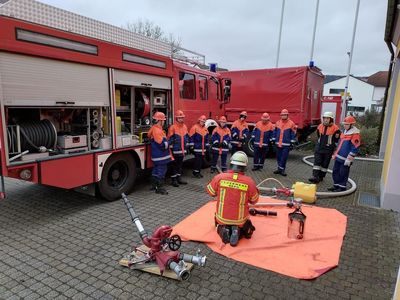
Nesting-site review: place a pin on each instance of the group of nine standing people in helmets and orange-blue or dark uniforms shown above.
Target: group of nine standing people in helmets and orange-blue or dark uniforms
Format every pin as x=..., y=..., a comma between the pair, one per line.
x=173, y=147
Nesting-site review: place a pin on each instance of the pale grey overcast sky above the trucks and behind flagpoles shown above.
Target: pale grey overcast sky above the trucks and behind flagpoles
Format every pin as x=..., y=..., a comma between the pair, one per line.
x=239, y=34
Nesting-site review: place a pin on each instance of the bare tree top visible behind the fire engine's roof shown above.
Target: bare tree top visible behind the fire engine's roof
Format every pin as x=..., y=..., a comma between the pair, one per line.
x=151, y=30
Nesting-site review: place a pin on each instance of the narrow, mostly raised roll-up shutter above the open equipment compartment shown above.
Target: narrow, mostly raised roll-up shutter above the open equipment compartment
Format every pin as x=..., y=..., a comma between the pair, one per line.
x=142, y=80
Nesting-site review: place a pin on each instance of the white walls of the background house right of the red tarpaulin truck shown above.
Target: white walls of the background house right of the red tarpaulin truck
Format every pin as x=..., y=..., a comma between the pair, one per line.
x=360, y=91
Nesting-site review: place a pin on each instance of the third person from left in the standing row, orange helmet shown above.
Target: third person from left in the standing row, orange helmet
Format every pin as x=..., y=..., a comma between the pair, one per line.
x=199, y=143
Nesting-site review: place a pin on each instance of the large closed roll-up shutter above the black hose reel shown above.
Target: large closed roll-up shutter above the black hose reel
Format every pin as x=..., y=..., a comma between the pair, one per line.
x=33, y=81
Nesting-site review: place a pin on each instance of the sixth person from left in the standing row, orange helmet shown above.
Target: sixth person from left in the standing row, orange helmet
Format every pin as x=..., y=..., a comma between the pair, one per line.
x=262, y=136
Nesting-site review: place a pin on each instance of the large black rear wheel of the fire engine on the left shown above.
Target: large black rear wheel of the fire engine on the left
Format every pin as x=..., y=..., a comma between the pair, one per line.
x=119, y=175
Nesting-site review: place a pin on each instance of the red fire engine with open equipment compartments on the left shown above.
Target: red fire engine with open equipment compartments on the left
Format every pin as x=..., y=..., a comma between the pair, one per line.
x=77, y=96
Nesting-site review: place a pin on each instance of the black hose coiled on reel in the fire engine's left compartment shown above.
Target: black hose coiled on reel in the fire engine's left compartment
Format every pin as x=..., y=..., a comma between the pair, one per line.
x=35, y=136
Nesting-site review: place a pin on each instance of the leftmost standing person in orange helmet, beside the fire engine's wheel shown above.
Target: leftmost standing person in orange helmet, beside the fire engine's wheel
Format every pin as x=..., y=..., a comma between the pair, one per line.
x=160, y=154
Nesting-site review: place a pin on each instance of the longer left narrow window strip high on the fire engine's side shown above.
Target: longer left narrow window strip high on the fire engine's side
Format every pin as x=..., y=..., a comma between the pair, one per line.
x=52, y=41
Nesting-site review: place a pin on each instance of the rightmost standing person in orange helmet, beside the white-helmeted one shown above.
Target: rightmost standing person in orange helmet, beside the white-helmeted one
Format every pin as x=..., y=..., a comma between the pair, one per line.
x=349, y=143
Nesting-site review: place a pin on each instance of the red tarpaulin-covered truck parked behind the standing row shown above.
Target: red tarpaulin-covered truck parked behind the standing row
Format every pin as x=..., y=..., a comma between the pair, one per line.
x=298, y=89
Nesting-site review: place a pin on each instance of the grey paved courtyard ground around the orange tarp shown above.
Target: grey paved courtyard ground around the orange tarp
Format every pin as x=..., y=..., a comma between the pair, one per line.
x=58, y=244
